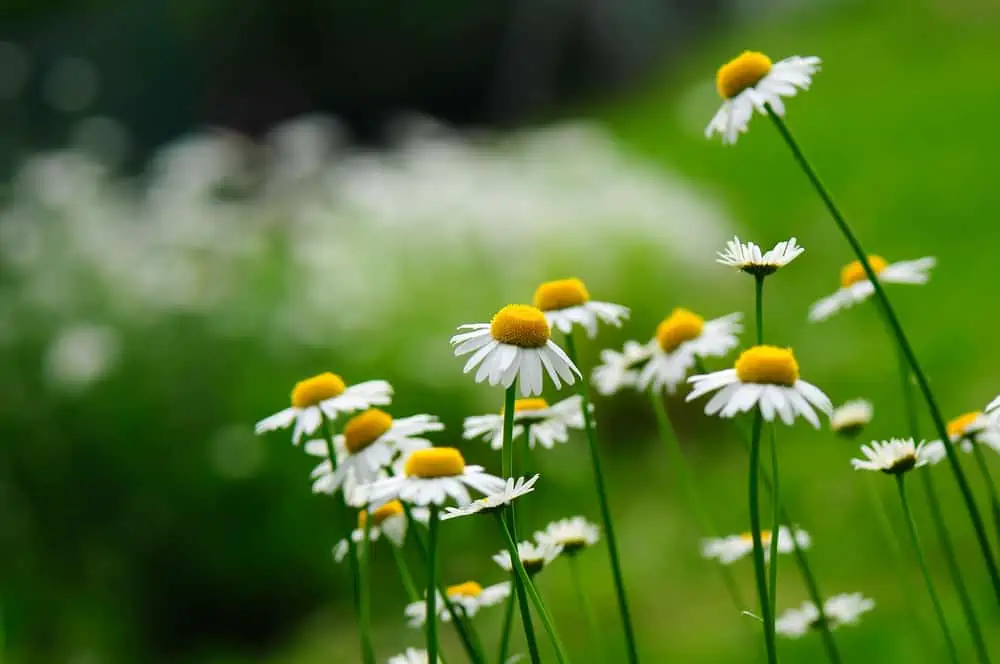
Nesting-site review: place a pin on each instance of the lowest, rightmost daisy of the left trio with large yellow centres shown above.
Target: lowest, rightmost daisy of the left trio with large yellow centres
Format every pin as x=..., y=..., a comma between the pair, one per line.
x=430, y=476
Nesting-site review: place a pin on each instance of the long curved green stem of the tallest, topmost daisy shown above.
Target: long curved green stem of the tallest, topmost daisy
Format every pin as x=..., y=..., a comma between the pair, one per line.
x=904, y=345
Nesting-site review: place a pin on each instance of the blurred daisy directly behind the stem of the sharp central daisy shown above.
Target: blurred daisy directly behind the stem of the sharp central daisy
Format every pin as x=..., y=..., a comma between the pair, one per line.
x=548, y=424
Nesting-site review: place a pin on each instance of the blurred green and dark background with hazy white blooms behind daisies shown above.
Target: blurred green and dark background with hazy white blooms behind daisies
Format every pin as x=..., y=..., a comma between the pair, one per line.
x=162, y=289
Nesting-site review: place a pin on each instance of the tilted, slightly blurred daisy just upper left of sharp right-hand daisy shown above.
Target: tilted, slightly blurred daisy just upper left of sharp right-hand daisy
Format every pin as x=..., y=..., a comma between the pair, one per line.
x=680, y=339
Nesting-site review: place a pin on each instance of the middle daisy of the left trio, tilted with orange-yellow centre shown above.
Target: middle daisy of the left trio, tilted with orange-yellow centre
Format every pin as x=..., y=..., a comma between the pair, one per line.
x=369, y=443
